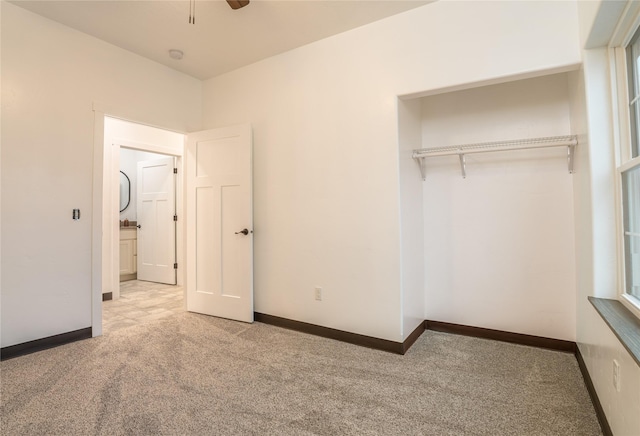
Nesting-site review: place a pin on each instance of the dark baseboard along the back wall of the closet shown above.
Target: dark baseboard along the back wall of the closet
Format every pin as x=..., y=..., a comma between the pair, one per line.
x=498, y=335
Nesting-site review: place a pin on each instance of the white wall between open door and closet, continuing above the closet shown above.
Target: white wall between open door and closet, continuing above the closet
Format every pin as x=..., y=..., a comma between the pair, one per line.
x=324, y=117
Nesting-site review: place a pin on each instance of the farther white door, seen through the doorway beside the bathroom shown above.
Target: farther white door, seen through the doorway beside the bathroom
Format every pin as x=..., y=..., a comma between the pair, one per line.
x=156, y=207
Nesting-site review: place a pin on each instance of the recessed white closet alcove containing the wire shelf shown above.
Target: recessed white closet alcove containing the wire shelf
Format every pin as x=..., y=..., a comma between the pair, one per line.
x=494, y=249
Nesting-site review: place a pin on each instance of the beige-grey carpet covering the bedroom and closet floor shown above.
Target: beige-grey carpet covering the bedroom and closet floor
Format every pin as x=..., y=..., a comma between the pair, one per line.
x=196, y=375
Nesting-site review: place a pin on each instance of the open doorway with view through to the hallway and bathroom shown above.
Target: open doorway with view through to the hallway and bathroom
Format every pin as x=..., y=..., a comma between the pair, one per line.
x=142, y=203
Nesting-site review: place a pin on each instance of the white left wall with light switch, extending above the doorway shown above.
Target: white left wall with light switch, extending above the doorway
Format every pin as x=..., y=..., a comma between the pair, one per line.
x=51, y=75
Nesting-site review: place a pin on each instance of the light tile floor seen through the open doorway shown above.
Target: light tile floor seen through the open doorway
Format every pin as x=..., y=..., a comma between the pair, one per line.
x=140, y=302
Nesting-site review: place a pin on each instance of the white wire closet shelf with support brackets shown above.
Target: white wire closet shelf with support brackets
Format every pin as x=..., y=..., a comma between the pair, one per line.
x=487, y=147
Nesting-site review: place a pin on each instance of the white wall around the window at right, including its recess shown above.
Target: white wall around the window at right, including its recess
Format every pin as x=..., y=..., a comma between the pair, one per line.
x=595, y=220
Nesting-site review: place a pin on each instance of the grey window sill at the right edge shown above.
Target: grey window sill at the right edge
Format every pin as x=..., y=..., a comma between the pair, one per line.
x=622, y=322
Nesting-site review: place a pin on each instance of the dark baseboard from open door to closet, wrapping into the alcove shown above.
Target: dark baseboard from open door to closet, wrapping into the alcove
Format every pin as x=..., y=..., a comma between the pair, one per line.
x=340, y=335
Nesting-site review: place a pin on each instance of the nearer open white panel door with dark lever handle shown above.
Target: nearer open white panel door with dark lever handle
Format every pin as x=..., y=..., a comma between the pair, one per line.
x=219, y=244
